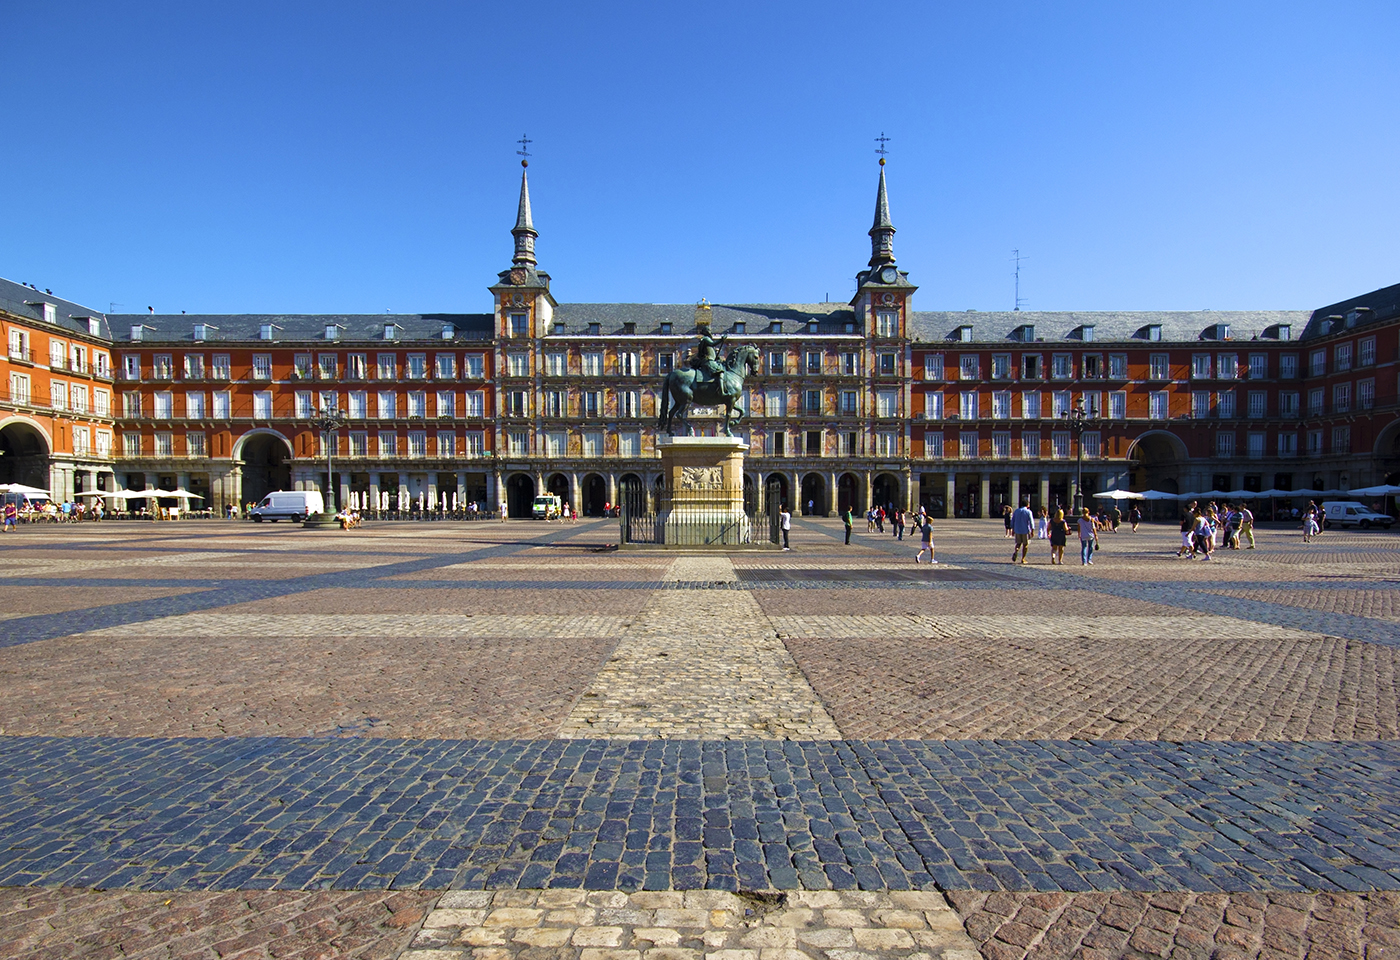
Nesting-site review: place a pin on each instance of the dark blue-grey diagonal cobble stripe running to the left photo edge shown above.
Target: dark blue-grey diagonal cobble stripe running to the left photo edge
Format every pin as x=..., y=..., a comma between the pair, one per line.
x=31, y=629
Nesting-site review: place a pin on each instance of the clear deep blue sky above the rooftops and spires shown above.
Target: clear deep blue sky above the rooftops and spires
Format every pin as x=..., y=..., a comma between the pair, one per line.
x=355, y=157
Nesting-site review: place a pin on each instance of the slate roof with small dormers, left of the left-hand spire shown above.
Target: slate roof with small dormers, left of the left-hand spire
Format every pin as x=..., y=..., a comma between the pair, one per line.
x=300, y=328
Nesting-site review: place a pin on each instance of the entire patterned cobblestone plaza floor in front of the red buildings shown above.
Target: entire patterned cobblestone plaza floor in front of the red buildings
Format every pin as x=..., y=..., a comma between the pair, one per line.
x=449, y=741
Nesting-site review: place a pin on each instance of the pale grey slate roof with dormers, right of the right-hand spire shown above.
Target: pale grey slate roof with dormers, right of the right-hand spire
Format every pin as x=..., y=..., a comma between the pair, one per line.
x=1109, y=327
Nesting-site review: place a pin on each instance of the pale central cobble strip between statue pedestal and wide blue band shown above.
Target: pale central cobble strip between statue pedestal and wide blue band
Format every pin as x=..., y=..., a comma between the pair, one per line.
x=702, y=667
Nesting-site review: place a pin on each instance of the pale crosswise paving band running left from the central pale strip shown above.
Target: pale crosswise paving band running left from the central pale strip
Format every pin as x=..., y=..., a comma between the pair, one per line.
x=372, y=625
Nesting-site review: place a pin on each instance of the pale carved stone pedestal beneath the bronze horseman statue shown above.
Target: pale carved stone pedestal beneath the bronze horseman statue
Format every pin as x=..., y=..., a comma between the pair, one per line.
x=702, y=500
